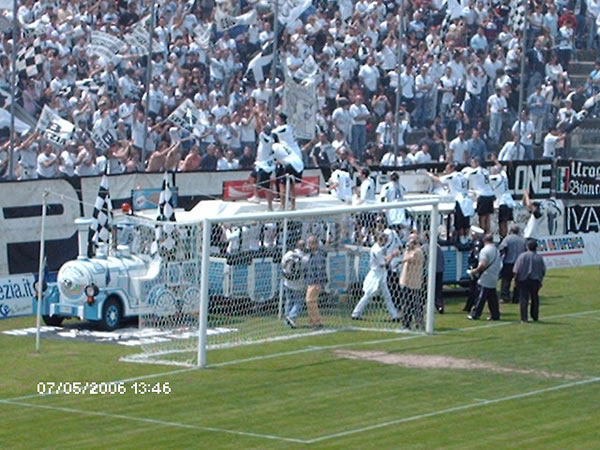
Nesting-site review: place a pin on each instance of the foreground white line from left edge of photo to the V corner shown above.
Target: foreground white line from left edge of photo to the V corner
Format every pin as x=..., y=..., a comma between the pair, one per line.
x=152, y=421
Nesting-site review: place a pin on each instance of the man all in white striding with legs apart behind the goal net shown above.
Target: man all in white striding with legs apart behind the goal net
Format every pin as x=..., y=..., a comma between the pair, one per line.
x=376, y=279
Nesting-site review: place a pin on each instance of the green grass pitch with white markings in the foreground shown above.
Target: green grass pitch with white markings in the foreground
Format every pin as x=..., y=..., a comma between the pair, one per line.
x=546, y=394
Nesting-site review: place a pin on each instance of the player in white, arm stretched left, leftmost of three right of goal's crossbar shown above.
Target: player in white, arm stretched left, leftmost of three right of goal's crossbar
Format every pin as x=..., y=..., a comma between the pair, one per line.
x=458, y=187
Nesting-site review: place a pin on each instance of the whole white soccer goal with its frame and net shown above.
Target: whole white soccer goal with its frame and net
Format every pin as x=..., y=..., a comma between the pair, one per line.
x=262, y=277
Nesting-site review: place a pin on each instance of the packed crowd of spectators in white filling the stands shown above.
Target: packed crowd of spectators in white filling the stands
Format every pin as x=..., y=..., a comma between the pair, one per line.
x=458, y=82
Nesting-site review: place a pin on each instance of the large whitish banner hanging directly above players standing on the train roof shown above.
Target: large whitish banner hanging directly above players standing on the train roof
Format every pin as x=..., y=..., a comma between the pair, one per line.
x=300, y=105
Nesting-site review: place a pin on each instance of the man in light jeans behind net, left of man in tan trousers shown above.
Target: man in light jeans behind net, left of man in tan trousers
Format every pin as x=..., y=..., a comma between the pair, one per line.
x=292, y=268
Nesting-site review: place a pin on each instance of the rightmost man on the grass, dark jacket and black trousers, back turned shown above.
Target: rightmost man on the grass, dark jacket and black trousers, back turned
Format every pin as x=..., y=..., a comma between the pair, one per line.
x=529, y=273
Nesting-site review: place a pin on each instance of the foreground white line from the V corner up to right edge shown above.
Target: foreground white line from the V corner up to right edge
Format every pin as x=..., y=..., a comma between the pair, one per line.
x=476, y=404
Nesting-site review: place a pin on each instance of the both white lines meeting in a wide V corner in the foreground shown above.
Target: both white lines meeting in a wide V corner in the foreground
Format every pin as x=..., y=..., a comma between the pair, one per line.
x=476, y=404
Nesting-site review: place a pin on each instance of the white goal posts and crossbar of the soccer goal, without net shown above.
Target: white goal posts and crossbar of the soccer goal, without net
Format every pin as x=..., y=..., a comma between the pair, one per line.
x=207, y=223
